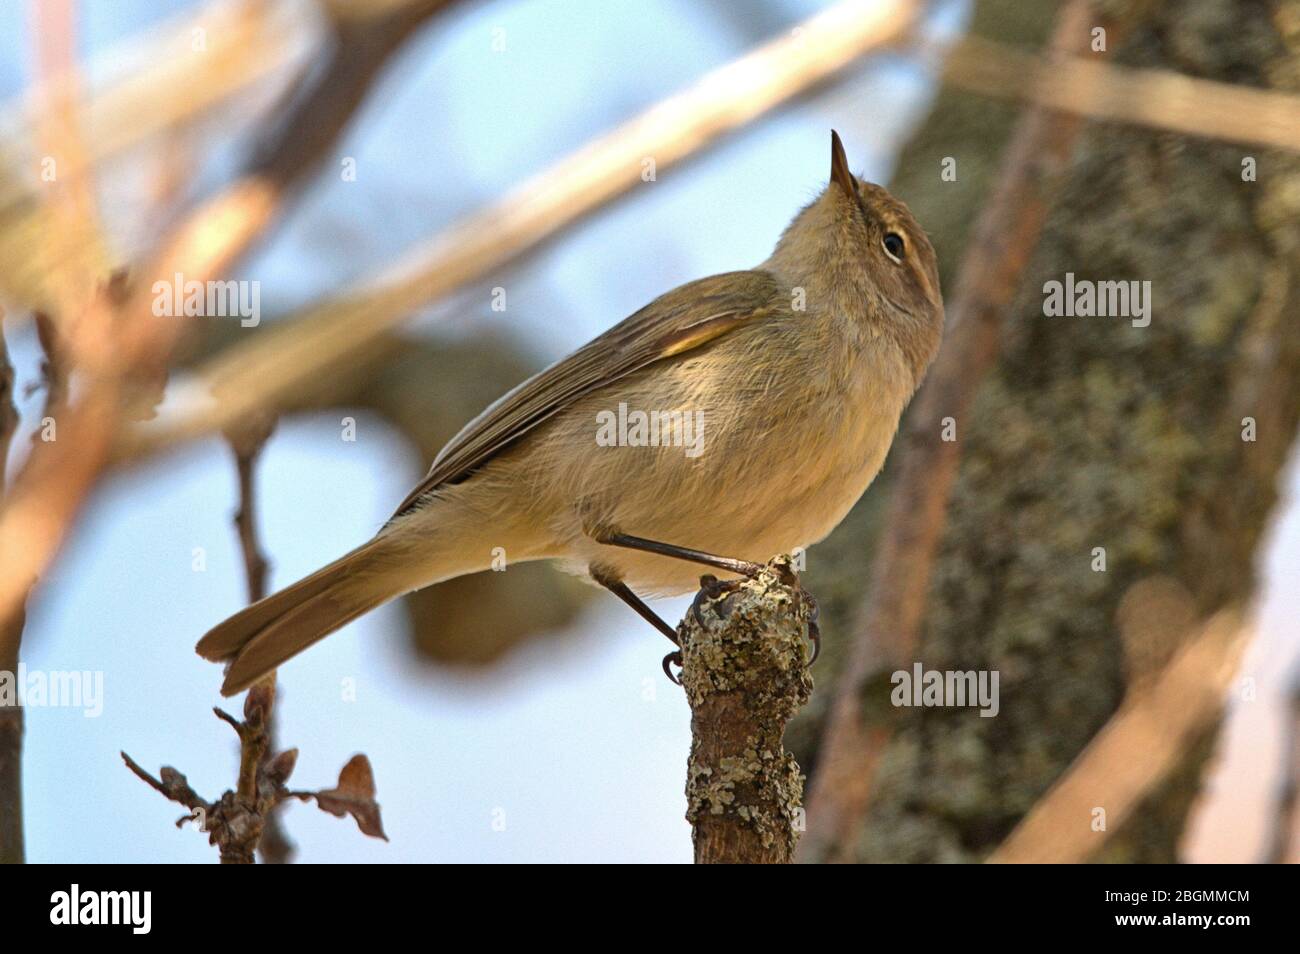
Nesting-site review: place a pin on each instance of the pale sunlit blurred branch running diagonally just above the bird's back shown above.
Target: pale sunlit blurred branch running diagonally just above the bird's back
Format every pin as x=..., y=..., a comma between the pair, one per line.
x=268, y=371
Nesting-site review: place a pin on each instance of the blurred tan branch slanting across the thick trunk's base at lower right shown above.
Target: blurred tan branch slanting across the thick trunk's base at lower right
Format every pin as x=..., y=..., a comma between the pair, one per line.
x=1141, y=744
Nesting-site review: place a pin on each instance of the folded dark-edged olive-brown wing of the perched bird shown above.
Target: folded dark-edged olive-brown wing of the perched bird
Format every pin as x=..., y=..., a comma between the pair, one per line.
x=679, y=322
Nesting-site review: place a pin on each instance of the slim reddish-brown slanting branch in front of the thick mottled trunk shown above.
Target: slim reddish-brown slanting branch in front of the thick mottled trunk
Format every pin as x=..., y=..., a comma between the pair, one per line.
x=1004, y=238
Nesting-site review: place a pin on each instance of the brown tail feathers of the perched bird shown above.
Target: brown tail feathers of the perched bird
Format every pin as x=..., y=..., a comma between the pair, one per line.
x=270, y=632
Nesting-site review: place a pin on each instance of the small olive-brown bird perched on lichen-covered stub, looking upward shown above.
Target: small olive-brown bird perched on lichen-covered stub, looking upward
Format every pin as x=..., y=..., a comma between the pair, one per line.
x=742, y=415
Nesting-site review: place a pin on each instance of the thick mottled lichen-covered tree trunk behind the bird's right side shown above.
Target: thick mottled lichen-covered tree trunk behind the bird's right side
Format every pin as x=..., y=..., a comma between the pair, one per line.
x=1097, y=433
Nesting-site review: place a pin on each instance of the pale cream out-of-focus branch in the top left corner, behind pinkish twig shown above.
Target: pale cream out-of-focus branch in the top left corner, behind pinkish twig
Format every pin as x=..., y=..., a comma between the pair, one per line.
x=175, y=75
